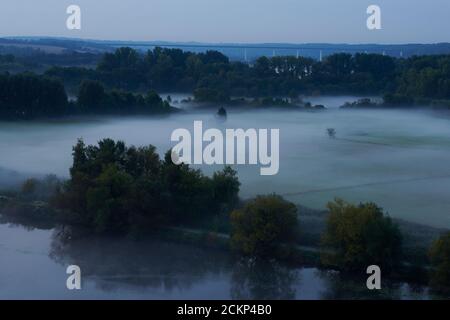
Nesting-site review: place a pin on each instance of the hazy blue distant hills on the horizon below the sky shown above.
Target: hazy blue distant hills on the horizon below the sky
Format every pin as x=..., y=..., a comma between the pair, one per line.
x=236, y=51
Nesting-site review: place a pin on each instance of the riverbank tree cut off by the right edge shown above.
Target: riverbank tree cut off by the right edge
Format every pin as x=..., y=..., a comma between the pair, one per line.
x=440, y=261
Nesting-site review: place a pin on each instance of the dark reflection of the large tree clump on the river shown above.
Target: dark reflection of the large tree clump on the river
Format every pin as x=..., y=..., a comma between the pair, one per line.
x=112, y=263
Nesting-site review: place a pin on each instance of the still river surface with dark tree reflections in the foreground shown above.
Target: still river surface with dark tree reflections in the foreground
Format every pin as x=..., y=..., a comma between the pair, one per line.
x=33, y=264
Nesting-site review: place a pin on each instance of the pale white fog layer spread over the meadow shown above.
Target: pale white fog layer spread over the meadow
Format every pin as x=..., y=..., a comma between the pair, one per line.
x=398, y=159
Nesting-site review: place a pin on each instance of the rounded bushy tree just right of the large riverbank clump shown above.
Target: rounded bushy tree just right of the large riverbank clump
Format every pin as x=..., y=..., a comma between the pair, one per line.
x=262, y=225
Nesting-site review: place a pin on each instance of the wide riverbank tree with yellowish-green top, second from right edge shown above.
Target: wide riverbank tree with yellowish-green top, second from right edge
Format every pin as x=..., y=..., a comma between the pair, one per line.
x=359, y=236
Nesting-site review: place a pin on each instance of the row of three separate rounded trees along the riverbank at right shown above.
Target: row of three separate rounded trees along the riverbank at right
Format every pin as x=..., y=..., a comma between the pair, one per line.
x=356, y=236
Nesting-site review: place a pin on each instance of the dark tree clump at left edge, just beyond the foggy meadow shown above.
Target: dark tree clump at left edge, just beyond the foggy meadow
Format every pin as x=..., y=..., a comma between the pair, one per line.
x=30, y=96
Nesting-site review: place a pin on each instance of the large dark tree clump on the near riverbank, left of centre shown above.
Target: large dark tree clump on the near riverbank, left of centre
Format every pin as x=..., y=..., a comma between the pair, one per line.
x=118, y=189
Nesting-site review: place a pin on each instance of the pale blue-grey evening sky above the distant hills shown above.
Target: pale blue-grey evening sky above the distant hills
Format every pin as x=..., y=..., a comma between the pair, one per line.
x=232, y=21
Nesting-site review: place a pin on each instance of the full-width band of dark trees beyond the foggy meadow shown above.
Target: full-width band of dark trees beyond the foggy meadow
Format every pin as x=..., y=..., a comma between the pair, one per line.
x=116, y=84
